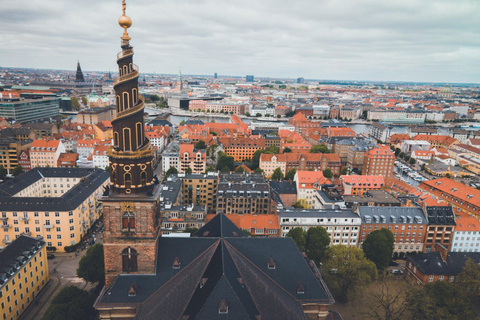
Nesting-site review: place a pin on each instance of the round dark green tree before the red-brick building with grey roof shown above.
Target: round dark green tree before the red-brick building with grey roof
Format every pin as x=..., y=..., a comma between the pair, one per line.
x=378, y=247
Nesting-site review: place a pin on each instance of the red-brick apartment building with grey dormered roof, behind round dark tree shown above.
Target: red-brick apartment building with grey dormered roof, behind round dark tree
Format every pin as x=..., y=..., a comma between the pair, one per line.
x=408, y=225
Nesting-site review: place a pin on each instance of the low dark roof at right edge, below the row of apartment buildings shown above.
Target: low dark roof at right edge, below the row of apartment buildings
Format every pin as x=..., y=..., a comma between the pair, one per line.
x=432, y=263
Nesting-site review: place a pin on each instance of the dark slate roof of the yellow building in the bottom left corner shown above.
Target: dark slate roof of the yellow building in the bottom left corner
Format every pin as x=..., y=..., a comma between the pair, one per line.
x=18, y=248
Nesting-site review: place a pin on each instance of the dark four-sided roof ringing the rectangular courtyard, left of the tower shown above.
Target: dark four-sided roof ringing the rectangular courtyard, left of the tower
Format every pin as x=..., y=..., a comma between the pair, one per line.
x=93, y=179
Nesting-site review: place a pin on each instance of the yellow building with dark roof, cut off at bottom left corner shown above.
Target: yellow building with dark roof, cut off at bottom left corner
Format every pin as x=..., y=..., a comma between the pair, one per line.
x=23, y=274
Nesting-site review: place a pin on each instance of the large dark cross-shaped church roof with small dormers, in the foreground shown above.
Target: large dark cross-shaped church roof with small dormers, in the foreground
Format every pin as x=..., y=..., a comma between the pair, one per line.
x=219, y=267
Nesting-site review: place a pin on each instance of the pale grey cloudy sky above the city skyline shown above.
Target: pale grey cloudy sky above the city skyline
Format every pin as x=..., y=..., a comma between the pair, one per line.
x=407, y=40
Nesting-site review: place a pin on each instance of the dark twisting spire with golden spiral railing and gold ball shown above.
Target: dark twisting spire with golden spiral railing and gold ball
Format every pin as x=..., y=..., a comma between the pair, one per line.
x=131, y=157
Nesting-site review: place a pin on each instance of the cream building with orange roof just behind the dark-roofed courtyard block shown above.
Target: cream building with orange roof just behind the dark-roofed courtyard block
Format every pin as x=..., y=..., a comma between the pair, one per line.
x=45, y=153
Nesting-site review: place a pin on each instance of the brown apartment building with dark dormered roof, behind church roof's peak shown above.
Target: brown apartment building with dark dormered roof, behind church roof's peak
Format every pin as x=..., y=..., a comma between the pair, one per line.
x=243, y=194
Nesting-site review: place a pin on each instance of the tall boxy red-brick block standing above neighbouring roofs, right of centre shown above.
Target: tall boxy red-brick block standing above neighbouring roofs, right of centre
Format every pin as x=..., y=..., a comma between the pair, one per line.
x=379, y=161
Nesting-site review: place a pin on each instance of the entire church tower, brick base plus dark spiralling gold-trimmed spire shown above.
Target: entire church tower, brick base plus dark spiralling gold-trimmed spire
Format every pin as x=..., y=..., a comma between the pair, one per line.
x=130, y=205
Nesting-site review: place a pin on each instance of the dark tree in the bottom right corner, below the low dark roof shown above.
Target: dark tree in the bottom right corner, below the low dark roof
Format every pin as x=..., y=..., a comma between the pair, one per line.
x=440, y=300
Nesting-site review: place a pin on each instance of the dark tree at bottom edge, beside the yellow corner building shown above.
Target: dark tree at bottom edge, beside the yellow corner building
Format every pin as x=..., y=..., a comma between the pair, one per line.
x=71, y=303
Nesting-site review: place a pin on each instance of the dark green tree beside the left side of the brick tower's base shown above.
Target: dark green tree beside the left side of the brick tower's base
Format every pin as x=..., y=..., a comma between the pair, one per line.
x=91, y=267
